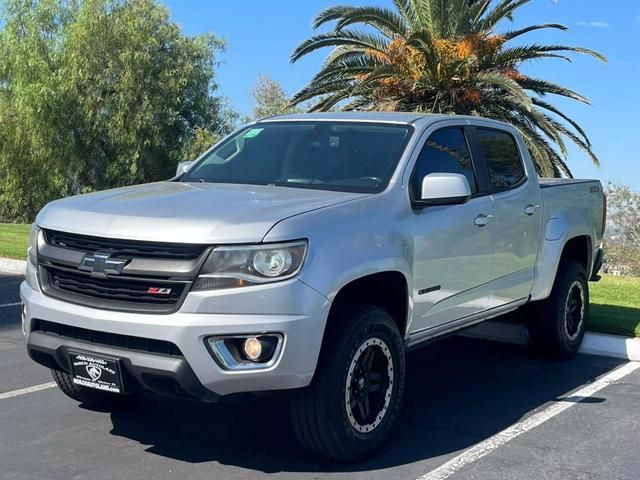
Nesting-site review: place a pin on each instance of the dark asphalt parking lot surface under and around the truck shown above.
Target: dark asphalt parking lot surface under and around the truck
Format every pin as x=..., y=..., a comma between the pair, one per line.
x=461, y=394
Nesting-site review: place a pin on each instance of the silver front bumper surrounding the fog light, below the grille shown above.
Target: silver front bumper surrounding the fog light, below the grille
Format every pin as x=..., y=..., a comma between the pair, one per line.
x=289, y=308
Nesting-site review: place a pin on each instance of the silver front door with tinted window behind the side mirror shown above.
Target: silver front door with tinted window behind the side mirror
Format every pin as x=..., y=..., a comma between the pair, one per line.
x=452, y=244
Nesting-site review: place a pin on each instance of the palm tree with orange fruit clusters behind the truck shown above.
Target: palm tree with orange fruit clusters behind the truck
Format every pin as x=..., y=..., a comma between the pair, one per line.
x=445, y=56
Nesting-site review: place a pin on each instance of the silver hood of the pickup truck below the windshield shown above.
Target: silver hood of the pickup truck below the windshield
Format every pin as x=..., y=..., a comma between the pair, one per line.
x=185, y=212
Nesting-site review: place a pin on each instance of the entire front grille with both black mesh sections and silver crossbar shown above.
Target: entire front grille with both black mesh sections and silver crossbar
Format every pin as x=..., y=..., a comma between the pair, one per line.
x=155, y=278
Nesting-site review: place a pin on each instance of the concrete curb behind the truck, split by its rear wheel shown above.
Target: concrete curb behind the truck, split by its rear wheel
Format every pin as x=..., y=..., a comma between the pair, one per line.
x=593, y=344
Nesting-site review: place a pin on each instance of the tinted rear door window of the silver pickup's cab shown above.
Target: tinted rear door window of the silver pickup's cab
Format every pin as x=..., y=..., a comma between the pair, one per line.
x=503, y=159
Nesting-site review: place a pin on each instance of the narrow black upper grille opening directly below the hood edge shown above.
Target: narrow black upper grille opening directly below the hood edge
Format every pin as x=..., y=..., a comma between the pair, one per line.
x=133, y=248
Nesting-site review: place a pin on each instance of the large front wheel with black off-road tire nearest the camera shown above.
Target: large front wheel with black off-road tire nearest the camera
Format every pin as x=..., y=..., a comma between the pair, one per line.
x=354, y=399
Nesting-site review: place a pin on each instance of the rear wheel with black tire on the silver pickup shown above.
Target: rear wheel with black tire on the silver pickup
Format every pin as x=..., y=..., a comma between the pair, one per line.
x=558, y=324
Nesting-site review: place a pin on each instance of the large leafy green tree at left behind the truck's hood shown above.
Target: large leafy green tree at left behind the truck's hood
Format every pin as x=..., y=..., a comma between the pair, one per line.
x=96, y=94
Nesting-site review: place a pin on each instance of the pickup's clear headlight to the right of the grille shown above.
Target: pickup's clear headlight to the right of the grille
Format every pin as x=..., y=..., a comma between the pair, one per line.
x=242, y=265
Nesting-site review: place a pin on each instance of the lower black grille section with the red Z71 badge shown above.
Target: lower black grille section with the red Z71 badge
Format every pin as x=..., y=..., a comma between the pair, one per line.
x=115, y=288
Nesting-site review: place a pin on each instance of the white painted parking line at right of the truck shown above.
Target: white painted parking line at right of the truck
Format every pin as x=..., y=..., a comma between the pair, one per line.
x=499, y=439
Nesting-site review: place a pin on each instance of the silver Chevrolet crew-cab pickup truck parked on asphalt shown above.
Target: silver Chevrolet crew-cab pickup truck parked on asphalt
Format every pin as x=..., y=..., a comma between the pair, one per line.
x=305, y=254
